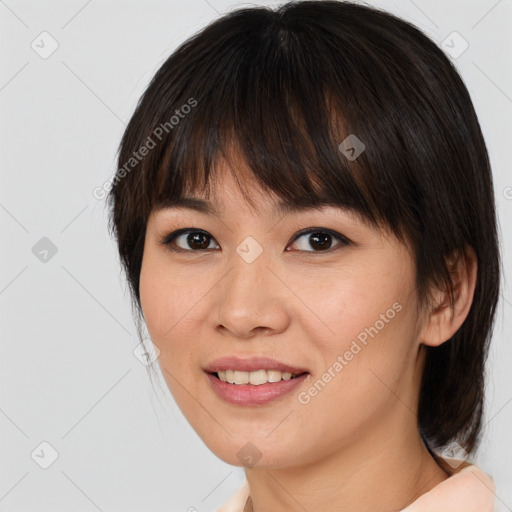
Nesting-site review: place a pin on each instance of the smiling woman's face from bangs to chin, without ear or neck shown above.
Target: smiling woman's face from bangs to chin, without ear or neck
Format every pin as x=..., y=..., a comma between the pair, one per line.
x=247, y=285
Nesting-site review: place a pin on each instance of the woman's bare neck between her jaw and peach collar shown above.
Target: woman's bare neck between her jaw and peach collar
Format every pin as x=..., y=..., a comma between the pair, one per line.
x=374, y=473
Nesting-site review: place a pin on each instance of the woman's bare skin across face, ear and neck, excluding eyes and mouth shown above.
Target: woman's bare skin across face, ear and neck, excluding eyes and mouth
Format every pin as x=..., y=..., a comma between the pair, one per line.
x=355, y=446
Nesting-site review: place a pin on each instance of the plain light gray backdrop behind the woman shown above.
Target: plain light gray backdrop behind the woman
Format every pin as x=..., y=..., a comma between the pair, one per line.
x=68, y=373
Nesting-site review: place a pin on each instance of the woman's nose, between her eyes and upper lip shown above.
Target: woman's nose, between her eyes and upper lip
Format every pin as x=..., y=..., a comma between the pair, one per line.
x=251, y=299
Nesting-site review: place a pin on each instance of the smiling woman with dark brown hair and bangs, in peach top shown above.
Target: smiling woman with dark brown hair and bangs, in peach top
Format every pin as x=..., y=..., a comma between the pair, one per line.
x=304, y=210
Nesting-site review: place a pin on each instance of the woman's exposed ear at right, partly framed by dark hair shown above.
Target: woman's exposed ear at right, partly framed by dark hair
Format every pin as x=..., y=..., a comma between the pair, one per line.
x=445, y=320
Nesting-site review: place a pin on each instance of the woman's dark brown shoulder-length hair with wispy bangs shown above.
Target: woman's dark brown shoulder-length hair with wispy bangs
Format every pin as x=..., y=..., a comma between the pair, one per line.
x=285, y=87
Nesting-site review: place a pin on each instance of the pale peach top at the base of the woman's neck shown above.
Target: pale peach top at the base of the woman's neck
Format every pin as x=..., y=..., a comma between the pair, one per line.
x=467, y=490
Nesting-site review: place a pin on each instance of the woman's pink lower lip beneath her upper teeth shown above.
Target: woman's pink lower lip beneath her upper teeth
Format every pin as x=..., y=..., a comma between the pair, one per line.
x=250, y=394
